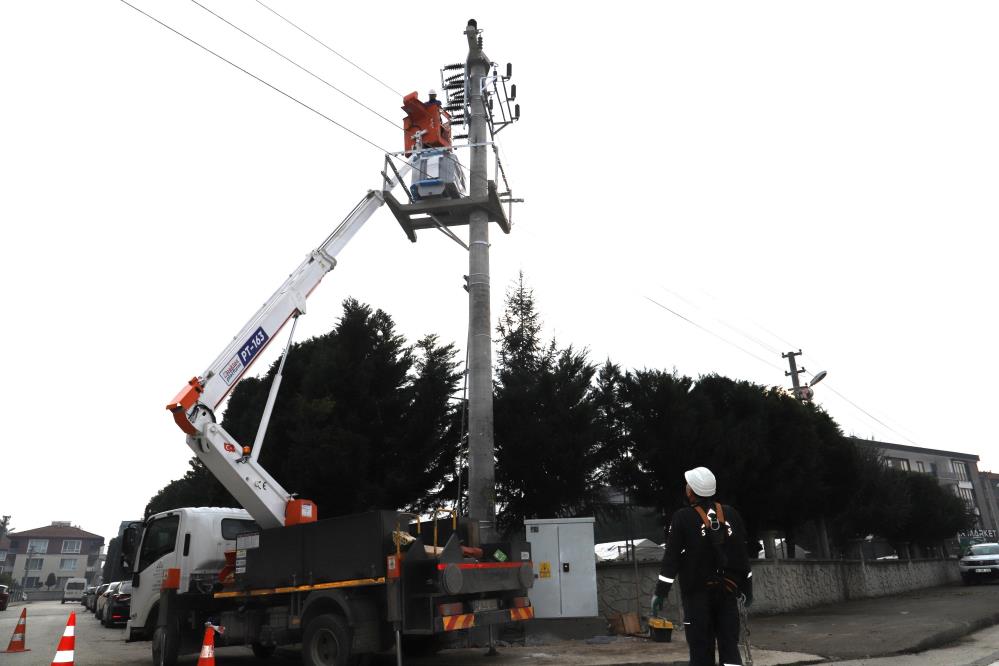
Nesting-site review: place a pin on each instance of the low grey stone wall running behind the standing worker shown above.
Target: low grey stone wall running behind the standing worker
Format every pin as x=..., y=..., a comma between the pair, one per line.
x=781, y=586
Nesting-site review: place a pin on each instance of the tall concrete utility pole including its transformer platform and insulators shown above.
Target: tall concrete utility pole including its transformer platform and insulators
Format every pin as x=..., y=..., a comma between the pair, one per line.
x=479, y=98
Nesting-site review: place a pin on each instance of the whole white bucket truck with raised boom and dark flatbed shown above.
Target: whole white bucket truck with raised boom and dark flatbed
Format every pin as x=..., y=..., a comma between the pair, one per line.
x=272, y=573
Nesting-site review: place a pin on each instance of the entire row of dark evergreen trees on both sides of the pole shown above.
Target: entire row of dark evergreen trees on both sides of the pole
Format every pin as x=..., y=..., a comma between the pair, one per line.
x=366, y=420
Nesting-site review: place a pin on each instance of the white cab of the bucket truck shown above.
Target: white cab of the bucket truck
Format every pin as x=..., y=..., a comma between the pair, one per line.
x=193, y=540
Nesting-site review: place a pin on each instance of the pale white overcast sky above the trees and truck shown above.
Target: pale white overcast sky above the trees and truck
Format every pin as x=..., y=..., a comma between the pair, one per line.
x=787, y=175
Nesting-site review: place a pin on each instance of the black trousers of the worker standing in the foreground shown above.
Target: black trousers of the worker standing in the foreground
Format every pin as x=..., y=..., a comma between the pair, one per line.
x=710, y=616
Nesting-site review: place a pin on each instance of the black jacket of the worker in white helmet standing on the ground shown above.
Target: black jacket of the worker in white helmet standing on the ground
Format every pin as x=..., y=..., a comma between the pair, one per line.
x=691, y=554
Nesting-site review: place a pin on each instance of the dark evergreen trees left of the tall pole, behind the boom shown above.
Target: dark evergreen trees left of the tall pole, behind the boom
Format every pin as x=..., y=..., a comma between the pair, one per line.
x=363, y=421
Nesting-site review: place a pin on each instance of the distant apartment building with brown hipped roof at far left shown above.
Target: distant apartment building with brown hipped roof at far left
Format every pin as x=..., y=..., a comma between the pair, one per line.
x=60, y=549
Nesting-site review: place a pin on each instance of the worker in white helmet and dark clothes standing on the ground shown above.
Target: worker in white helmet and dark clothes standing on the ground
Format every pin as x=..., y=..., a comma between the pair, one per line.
x=706, y=547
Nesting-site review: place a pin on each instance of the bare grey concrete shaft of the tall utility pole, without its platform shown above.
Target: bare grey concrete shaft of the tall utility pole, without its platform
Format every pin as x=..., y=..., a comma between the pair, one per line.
x=481, y=465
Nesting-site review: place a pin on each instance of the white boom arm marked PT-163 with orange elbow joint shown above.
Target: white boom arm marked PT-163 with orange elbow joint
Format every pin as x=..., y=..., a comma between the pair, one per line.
x=193, y=408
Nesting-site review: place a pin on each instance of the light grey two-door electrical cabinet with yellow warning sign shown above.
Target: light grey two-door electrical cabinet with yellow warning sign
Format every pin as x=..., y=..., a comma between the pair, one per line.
x=565, y=567
